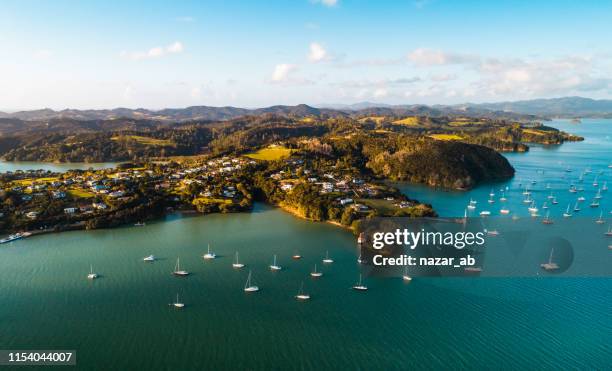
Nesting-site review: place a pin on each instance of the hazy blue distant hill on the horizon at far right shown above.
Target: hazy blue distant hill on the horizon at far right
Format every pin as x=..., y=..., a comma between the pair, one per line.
x=555, y=107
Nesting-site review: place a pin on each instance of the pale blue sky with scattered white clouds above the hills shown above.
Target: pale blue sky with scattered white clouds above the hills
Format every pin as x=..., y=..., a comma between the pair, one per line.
x=158, y=54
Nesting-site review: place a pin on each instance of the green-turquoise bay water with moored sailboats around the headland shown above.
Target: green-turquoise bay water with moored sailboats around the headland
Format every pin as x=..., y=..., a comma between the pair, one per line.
x=123, y=321
